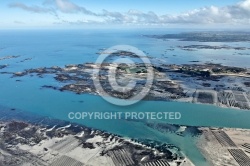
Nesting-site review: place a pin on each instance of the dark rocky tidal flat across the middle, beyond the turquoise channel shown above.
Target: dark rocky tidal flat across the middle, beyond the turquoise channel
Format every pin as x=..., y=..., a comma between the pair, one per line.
x=223, y=86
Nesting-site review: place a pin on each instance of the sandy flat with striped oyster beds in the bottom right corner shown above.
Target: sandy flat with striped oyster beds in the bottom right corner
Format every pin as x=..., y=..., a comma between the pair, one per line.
x=217, y=150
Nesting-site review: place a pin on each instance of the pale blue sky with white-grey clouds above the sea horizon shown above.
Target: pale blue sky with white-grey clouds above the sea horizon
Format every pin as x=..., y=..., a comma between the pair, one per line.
x=127, y=13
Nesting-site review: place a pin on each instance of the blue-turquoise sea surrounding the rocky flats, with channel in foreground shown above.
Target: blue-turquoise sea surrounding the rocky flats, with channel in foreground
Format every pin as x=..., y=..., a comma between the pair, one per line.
x=61, y=47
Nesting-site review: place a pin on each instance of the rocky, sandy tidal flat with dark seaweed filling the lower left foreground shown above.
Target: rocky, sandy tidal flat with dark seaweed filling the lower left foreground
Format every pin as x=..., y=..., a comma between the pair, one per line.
x=50, y=141
